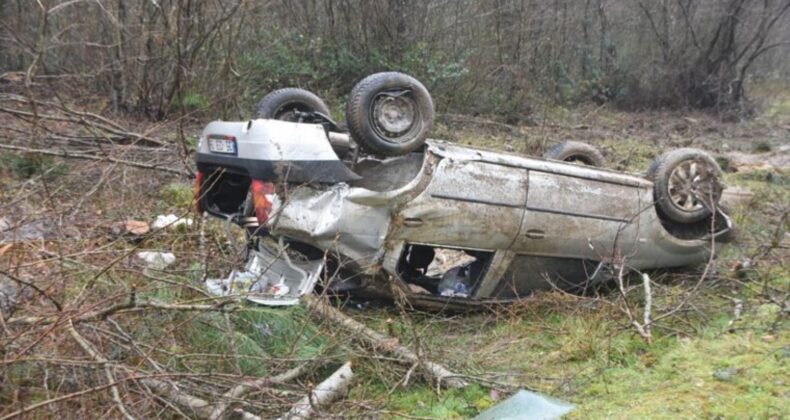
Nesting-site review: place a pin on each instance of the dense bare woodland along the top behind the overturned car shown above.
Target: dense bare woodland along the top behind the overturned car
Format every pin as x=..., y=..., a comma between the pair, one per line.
x=503, y=57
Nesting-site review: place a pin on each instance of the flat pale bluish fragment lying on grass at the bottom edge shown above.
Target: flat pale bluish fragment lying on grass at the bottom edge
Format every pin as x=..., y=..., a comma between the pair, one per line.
x=527, y=405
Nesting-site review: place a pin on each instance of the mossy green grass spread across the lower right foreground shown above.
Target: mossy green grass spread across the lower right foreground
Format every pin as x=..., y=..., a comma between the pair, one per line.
x=589, y=358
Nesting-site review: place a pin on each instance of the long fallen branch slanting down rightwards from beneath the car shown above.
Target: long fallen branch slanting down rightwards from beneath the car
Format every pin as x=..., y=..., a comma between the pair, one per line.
x=322, y=311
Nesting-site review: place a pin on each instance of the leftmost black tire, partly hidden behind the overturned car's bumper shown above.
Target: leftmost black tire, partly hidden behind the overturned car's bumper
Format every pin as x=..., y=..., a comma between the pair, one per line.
x=281, y=104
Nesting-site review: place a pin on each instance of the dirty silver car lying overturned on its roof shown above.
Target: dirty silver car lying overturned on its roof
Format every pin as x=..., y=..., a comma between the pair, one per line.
x=382, y=210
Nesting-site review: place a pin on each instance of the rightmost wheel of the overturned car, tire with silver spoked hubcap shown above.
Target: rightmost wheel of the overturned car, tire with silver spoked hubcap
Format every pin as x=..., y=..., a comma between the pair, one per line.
x=687, y=185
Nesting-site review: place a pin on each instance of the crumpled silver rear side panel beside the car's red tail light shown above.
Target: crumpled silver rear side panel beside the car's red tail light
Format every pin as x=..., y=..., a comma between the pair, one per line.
x=337, y=218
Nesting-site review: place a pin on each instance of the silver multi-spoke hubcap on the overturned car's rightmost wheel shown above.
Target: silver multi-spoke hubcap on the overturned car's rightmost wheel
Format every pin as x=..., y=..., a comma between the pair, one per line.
x=687, y=186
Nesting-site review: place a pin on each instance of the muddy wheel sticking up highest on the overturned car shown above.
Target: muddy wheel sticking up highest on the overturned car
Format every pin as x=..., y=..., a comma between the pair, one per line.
x=389, y=113
